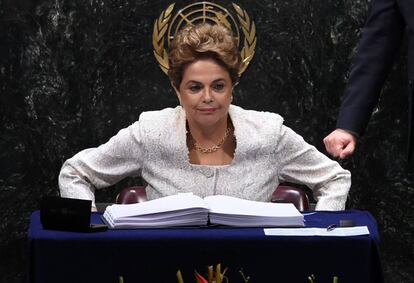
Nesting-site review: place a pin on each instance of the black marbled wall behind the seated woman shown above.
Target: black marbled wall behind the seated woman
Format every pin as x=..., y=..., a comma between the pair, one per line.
x=72, y=73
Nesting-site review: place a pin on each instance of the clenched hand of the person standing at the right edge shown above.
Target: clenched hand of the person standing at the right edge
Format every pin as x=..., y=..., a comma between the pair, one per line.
x=340, y=143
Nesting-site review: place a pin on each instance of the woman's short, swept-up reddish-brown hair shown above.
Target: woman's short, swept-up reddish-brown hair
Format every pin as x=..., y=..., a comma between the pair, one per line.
x=203, y=41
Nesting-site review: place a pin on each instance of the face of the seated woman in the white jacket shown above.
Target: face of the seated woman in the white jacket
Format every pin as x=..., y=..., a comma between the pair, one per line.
x=205, y=92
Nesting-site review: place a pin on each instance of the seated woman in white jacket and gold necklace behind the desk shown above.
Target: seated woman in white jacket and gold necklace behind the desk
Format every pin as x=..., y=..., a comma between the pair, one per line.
x=205, y=145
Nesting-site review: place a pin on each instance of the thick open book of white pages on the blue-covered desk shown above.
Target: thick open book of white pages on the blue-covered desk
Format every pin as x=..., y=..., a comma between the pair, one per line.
x=191, y=210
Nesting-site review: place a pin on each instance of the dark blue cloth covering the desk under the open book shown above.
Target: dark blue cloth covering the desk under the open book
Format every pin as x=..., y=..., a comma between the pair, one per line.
x=155, y=255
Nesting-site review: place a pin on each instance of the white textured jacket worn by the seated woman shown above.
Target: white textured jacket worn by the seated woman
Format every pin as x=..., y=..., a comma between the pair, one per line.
x=267, y=153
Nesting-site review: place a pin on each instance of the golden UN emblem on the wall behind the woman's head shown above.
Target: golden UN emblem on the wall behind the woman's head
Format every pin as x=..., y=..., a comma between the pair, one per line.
x=167, y=25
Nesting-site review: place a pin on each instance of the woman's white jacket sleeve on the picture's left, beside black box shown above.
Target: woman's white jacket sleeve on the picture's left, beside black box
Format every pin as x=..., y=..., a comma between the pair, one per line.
x=120, y=157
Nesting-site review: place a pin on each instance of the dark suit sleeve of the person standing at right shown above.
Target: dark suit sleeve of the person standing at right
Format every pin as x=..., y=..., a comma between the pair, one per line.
x=381, y=39
